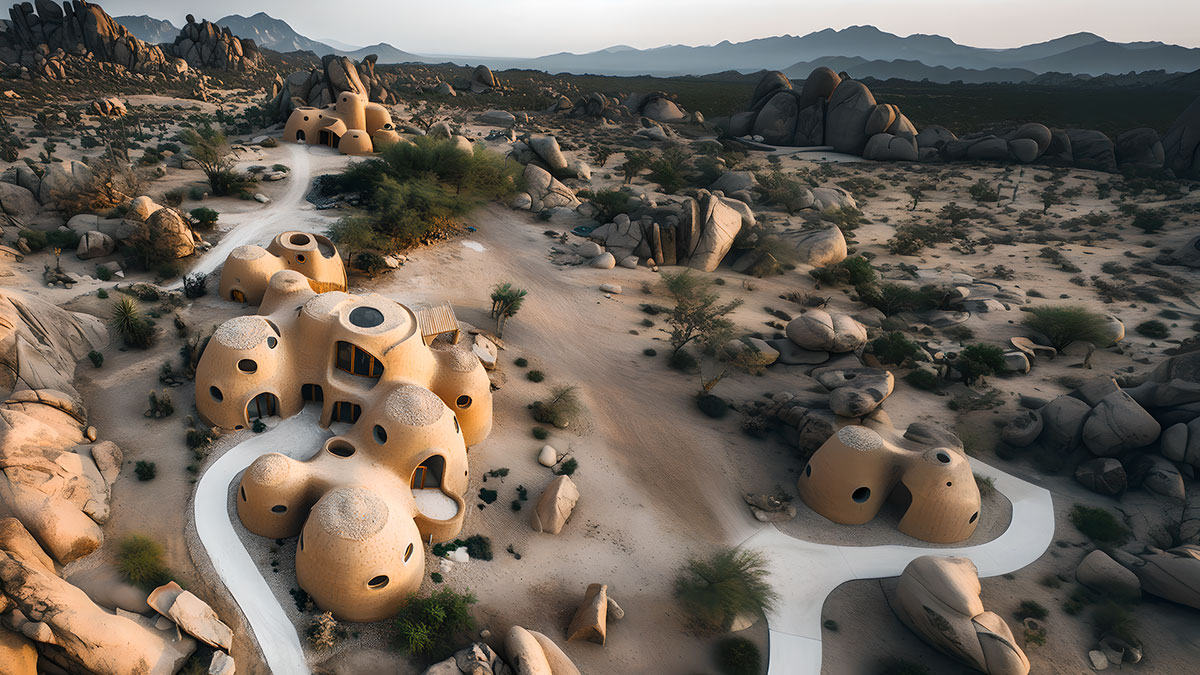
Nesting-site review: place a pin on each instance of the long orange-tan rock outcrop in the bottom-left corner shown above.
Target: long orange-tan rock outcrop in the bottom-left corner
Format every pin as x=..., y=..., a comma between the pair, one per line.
x=79, y=635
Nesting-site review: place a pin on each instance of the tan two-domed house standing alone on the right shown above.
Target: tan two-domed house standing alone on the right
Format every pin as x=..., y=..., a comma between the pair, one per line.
x=857, y=471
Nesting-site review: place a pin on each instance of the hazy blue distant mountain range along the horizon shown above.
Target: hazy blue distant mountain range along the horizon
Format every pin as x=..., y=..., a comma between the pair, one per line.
x=862, y=51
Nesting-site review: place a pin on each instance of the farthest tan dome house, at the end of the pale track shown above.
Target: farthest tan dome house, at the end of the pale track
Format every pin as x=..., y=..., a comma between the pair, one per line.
x=352, y=124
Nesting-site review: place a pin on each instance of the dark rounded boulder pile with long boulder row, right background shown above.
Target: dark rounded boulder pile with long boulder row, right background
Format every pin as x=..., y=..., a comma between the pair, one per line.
x=833, y=111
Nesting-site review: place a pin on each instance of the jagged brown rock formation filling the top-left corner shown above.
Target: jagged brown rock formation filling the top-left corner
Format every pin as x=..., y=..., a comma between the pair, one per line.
x=59, y=41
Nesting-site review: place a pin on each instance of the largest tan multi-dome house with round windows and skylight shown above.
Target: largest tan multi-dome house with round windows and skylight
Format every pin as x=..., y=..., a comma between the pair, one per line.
x=367, y=501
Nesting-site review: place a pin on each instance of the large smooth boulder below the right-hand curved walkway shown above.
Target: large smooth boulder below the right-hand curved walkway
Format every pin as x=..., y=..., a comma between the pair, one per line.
x=939, y=600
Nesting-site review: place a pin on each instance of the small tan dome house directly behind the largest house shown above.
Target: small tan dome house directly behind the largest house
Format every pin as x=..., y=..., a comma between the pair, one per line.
x=249, y=270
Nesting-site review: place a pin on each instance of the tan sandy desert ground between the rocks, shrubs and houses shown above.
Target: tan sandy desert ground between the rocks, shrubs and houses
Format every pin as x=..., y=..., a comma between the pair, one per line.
x=659, y=481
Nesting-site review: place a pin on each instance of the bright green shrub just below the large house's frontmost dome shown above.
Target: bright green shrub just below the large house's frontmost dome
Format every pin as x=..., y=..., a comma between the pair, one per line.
x=429, y=625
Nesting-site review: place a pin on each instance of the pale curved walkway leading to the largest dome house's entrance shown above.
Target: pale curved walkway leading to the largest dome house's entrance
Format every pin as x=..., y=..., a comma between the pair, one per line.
x=269, y=624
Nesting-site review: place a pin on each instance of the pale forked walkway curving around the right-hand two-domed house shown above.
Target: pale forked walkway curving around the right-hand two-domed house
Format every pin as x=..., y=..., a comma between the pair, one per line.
x=806, y=574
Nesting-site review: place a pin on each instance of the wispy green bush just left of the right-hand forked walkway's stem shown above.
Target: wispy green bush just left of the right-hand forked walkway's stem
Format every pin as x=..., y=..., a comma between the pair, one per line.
x=730, y=583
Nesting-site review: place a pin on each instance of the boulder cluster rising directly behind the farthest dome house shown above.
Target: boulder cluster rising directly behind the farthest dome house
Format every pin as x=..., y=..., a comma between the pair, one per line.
x=320, y=87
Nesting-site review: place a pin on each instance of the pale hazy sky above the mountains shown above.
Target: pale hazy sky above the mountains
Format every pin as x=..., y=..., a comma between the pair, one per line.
x=533, y=28
